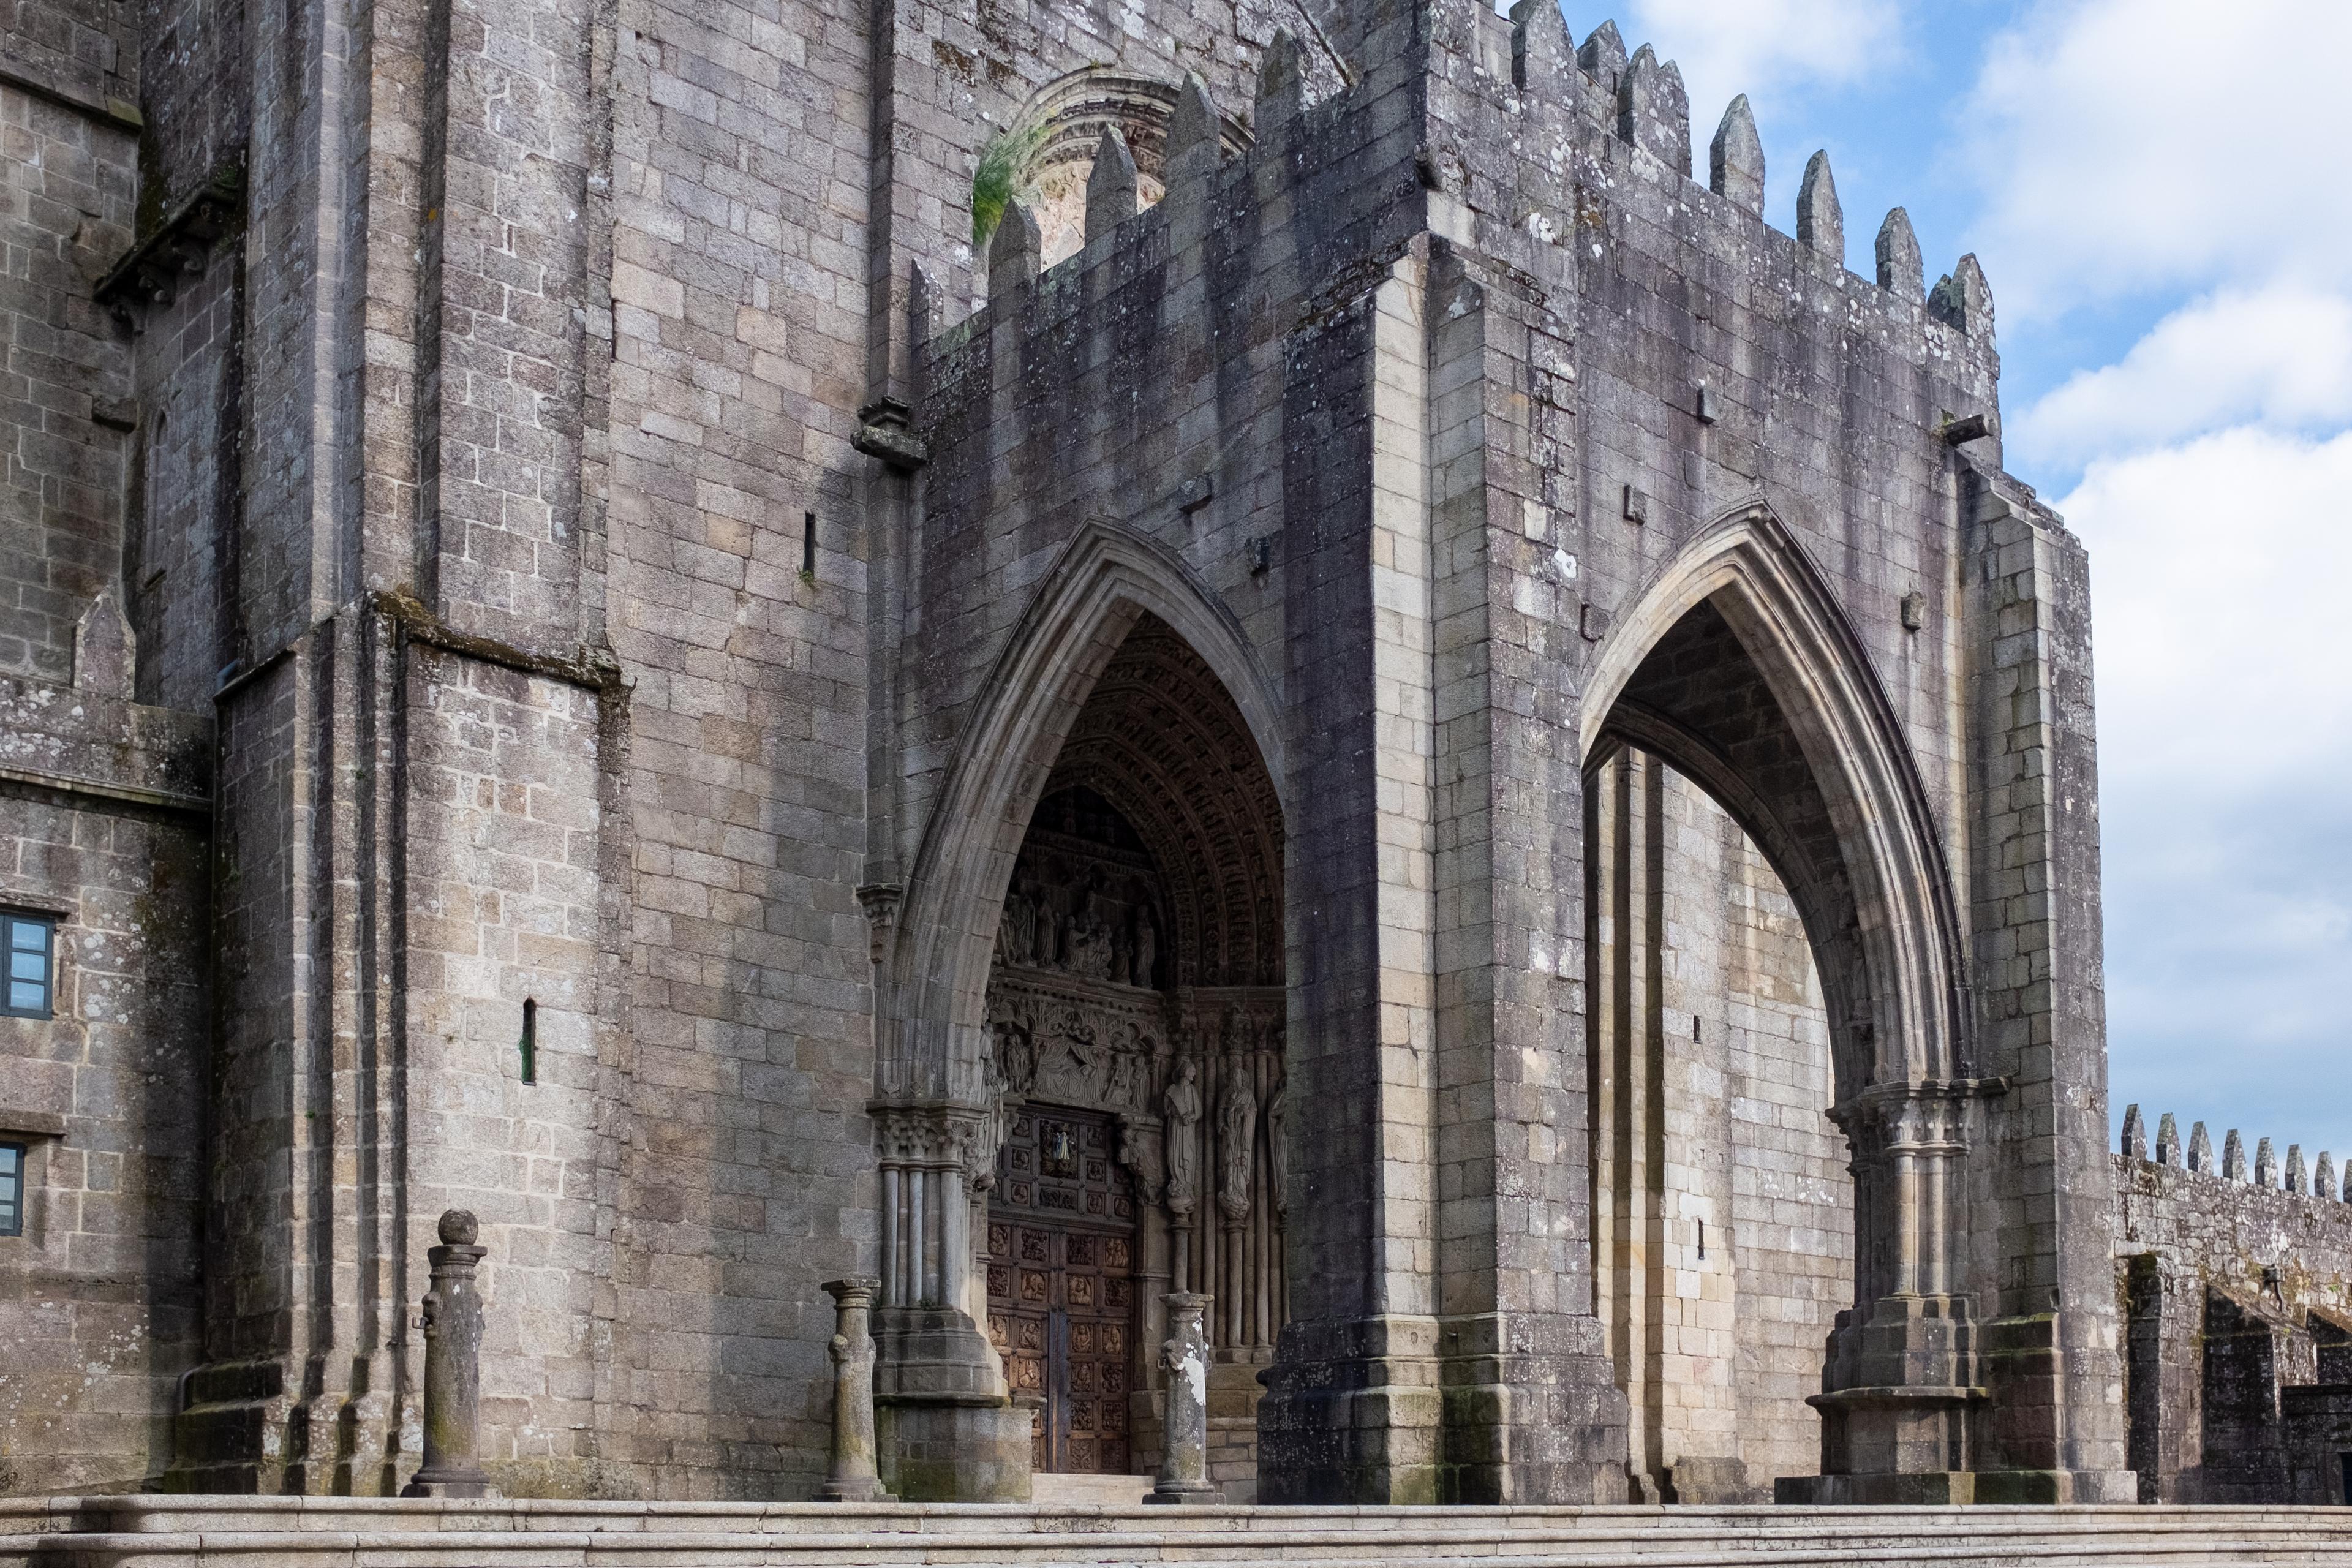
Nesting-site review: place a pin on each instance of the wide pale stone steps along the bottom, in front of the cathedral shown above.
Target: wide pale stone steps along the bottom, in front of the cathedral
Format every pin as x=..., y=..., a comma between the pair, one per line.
x=432, y=1534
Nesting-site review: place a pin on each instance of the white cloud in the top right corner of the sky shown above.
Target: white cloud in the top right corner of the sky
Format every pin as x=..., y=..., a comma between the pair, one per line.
x=2144, y=145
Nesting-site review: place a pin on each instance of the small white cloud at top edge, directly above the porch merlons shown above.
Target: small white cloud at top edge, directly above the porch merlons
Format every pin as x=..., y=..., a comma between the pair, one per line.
x=1763, y=46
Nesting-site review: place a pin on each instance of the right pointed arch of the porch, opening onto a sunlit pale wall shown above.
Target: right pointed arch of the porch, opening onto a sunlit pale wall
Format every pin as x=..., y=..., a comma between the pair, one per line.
x=1779, y=1052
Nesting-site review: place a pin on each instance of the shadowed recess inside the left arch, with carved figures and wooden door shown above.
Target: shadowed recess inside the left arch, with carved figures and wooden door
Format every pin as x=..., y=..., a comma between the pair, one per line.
x=1137, y=1024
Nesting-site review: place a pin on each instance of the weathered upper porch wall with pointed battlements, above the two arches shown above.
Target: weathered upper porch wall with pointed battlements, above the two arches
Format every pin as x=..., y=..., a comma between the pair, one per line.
x=1676, y=354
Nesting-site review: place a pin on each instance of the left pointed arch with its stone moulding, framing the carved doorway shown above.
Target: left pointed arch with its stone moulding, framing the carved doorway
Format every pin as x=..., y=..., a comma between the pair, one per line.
x=1081, y=1033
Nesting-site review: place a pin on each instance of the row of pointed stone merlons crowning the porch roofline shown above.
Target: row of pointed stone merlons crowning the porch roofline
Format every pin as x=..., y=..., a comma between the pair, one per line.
x=1521, y=81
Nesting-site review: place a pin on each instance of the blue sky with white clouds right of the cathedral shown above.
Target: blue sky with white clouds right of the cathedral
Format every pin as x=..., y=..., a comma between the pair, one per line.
x=2158, y=196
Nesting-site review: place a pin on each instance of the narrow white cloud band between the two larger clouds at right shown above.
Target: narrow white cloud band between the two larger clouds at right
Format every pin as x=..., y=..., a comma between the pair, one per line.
x=2276, y=356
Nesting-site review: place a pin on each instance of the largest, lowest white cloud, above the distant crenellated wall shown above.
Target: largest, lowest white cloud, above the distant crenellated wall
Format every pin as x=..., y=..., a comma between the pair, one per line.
x=2226, y=732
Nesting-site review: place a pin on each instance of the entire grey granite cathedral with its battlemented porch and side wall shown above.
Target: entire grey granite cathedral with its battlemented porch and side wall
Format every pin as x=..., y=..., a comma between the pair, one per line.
x=1356, y=690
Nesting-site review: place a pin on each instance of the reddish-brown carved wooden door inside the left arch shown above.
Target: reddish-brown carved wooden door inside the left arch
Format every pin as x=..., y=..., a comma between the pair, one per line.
x=1062, y=1285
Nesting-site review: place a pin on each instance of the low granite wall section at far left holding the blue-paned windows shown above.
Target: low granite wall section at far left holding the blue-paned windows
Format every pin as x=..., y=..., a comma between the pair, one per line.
x=105, y=824
